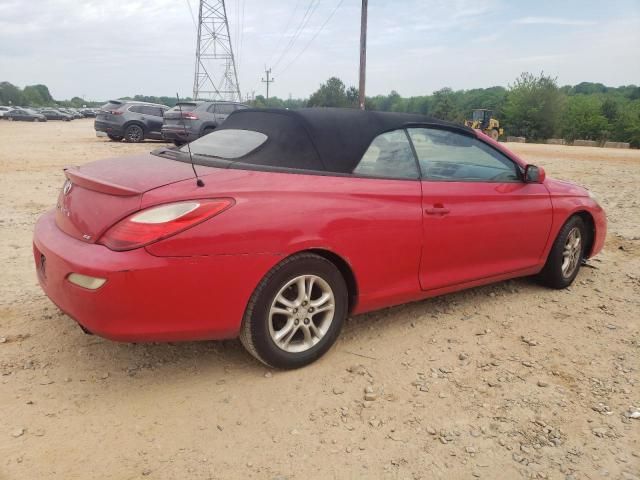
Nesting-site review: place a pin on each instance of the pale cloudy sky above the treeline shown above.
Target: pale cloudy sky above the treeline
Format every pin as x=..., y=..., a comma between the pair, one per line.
x=101, y=49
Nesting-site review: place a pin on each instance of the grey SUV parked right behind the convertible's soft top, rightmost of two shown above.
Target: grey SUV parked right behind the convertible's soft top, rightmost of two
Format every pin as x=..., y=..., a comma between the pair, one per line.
x=198, y=118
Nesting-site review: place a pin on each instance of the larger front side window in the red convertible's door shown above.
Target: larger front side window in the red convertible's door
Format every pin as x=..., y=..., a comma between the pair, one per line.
x=450, y=156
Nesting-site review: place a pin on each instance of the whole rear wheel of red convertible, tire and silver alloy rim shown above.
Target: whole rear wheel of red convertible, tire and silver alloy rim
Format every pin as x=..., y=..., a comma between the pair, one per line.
x=296, y=312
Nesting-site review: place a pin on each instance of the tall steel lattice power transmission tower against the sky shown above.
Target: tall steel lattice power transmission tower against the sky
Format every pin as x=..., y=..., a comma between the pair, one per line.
x=216, y=75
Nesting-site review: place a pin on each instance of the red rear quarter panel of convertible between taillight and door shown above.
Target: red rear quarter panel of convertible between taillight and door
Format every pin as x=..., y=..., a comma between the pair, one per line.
x=373, y=224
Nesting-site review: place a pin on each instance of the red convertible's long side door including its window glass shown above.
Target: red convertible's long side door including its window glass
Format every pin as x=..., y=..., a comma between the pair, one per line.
x=480, y=219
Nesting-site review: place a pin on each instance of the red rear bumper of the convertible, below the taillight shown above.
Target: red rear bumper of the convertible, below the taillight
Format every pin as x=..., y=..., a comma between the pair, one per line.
x=145, y=297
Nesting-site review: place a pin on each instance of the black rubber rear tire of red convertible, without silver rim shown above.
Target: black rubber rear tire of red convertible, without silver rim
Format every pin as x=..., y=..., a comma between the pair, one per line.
x=255, y=332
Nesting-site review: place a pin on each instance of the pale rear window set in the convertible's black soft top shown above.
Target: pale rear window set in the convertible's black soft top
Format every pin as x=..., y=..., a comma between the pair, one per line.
x=227, y=144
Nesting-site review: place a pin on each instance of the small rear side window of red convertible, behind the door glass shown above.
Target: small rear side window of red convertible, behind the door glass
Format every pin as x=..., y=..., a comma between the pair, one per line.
x=389, y=156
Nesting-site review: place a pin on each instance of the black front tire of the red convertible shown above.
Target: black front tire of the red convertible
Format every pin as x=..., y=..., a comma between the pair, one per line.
x=553, y=275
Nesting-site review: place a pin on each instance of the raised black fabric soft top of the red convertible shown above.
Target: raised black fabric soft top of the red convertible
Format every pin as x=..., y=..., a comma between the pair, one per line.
x=320, y=139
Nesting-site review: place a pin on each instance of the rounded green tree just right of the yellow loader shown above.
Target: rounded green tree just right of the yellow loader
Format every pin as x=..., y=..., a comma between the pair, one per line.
x=534, y=107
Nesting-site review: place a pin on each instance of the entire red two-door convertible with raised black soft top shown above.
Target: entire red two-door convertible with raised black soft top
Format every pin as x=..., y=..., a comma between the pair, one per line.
x=297, y=219
